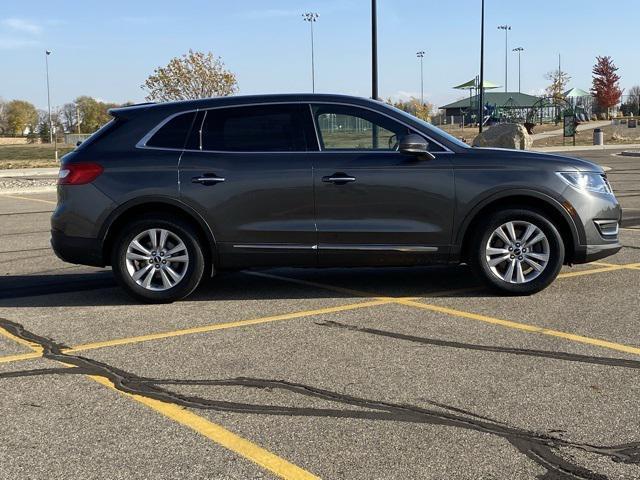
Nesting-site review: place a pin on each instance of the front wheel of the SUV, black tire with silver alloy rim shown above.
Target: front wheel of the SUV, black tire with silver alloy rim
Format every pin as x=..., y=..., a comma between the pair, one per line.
x=507, y=264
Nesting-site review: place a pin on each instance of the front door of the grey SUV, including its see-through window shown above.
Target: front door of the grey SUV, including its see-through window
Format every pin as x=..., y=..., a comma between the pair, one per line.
x=375, y=205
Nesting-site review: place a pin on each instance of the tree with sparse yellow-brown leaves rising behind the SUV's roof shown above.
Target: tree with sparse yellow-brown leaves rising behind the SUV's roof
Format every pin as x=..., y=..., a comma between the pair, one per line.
x=194, y=75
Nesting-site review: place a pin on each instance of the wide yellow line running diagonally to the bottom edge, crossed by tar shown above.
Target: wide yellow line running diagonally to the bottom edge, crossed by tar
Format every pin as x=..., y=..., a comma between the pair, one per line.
x=218, y=434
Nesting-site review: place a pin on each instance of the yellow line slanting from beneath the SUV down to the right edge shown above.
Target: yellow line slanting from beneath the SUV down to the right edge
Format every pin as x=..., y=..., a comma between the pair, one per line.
x=484, y=318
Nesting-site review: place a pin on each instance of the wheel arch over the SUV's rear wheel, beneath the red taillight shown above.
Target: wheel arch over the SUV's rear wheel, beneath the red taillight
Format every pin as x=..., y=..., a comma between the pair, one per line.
x=165, y=205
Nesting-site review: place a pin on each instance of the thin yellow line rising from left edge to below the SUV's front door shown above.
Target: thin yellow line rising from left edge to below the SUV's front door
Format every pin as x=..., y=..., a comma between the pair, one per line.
x=193, y=330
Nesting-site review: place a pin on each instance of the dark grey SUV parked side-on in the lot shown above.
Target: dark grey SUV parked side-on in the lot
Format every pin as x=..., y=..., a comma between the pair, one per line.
x=170, y=193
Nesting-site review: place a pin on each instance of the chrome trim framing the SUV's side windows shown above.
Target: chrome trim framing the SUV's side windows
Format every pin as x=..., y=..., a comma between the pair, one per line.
x=142, y=143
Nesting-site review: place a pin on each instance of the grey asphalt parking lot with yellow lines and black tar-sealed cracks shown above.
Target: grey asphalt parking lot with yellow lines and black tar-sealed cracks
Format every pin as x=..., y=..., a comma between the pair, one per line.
x=337, y=373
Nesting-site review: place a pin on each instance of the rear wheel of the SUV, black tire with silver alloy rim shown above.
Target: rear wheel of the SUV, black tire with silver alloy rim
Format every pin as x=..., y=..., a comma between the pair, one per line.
x=172, y=273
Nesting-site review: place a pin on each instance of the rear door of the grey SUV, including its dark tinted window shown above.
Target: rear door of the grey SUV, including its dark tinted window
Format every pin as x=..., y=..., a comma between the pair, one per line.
x=247, y=171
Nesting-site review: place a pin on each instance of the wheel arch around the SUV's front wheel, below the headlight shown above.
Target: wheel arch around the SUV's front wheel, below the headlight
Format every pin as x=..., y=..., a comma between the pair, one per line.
x=558, y=213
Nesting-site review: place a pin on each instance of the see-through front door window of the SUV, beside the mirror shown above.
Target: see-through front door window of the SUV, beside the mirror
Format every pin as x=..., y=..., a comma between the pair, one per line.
x=352, y=128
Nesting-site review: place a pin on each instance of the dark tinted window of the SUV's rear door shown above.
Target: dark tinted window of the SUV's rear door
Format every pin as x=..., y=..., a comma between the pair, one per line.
x=265, y=128
